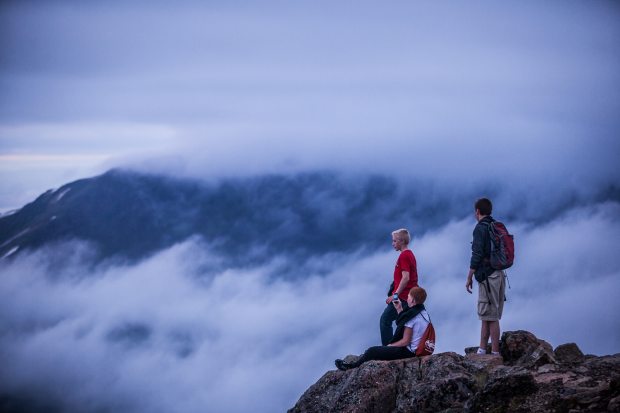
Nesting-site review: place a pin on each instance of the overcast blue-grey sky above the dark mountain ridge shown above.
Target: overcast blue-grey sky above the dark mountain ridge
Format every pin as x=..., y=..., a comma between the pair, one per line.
x=225, y=88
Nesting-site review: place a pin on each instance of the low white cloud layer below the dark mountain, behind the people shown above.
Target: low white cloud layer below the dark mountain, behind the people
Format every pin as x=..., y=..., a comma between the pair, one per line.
x=166, y=335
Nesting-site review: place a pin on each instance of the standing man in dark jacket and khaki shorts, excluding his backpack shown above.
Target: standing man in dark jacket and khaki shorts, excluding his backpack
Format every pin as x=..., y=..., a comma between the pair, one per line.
x=491, y=283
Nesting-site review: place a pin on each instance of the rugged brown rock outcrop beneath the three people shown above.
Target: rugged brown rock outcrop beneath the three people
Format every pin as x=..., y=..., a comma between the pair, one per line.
x=528, y=376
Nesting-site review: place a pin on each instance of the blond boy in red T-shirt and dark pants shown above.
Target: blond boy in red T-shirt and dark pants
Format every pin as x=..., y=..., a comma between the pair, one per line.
x=405, y=278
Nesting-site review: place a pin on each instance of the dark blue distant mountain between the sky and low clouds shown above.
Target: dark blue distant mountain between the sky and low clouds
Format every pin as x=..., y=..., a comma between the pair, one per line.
x=127, y=215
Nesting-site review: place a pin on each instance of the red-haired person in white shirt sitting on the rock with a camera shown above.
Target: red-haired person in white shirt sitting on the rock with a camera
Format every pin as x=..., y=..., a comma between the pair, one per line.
x=410, y=327
